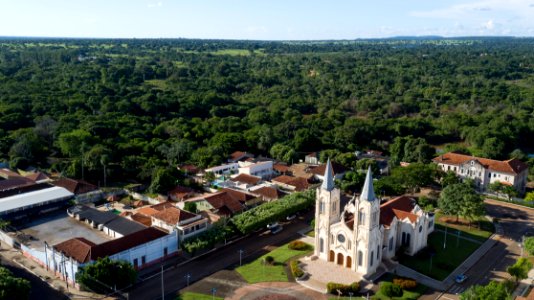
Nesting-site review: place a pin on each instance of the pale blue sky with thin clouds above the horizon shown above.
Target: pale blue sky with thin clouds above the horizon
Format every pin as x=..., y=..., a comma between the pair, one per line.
x=266, y=19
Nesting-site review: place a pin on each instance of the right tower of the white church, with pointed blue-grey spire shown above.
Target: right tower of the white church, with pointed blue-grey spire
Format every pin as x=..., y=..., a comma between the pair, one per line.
x=367, y=231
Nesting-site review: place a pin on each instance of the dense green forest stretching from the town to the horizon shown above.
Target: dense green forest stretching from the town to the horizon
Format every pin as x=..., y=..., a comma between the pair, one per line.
x=129, y=107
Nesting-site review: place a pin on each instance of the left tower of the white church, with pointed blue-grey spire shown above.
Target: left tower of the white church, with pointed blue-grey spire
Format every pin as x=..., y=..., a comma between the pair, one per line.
x=327, y=212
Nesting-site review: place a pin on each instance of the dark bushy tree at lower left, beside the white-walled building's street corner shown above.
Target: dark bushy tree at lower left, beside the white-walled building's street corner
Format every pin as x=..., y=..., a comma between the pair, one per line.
x=105, y=275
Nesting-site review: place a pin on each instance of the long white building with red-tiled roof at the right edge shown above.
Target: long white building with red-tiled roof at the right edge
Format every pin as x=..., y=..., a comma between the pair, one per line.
x=485, y=171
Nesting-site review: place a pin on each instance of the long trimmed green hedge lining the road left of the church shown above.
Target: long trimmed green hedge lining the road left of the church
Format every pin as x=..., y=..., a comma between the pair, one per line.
x=259, y=216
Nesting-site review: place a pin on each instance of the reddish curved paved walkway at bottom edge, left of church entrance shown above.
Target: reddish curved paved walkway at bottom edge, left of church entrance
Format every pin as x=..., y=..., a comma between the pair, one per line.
x=274, y=291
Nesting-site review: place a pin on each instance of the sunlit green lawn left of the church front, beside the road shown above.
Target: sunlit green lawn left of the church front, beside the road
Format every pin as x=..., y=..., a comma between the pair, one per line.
x=256, y=271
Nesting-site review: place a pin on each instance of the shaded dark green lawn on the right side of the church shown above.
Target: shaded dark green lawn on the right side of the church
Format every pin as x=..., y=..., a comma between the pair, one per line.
x=445, y=260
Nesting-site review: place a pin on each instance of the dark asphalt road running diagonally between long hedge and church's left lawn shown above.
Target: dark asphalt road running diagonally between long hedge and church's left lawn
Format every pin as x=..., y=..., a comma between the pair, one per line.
x=228, y=256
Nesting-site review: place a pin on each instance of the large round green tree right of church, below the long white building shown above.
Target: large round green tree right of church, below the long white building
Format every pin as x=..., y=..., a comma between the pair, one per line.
x=461, y=200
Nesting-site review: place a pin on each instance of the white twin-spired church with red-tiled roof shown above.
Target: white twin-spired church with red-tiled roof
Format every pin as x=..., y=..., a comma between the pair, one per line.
x=366, y=232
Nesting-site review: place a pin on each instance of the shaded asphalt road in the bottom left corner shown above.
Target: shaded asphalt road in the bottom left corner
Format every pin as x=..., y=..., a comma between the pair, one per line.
x=40, y=290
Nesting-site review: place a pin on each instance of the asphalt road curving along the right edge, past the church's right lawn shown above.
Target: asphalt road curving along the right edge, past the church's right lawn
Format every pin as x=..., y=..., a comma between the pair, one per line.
x=515, y=222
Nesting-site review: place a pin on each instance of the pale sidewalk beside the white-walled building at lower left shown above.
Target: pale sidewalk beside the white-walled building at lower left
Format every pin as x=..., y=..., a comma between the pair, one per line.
x=16, y=257
